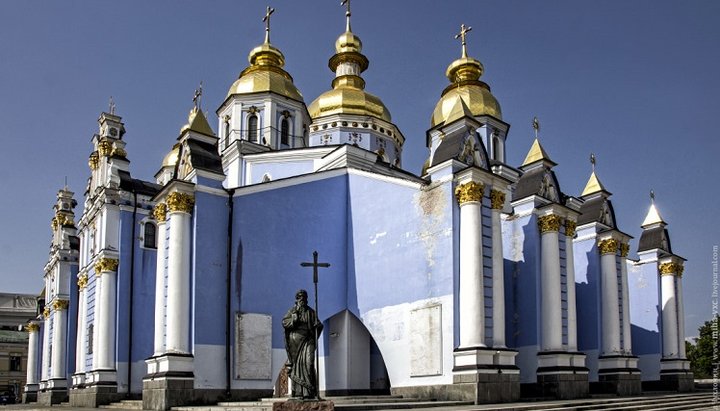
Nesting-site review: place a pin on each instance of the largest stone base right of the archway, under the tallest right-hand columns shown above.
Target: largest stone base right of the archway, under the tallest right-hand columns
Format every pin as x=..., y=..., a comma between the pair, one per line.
x=485, y=375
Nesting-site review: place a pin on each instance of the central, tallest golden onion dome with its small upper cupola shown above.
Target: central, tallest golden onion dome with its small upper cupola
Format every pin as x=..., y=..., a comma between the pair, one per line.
x=348, y=95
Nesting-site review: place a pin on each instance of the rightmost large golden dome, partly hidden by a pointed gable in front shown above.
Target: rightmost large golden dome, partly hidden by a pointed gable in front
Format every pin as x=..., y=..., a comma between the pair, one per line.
x=464, y=74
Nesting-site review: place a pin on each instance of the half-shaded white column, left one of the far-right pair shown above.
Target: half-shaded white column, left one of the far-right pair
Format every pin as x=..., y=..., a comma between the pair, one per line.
x=670, y=328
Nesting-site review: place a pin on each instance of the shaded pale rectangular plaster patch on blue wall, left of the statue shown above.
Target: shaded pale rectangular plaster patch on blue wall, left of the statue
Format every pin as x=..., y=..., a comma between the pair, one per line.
x=253, y=346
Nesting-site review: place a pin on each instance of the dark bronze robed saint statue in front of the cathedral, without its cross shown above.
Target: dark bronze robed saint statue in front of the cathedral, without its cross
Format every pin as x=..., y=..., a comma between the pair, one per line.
x=301, y=330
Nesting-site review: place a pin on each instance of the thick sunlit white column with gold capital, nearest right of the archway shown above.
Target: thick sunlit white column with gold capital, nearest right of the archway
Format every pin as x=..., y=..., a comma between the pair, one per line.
x=472, y=301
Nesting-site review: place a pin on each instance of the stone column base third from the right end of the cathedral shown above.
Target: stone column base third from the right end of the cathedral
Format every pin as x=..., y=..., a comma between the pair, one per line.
x=562, y=375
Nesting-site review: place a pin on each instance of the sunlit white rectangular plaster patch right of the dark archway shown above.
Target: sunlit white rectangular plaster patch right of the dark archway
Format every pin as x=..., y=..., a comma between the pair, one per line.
x=426, y=341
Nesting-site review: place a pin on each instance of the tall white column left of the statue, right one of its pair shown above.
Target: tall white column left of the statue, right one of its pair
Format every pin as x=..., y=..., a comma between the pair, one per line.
x=178, y=282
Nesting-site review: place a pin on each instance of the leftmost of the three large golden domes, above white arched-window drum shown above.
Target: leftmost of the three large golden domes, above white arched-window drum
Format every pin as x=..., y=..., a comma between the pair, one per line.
x=265, y=73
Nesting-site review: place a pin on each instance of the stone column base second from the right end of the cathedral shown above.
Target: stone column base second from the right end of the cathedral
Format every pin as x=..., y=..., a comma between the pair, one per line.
x=618, y=374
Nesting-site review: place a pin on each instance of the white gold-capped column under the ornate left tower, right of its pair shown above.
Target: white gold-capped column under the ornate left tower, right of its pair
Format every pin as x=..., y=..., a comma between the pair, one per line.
x=105, y=326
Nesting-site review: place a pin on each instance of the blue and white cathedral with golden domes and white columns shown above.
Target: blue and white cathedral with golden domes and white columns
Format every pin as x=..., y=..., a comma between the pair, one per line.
x=499, y=283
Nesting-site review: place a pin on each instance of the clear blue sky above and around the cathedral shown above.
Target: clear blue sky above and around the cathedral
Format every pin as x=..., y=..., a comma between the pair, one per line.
x=634, y=82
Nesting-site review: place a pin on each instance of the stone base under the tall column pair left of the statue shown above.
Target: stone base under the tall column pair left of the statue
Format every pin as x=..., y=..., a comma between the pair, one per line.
x=170, y=381
